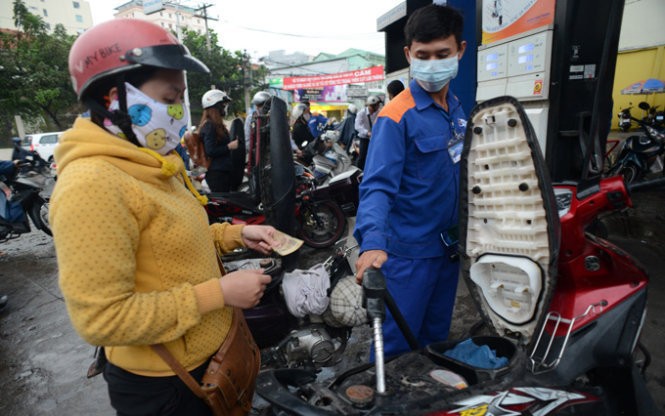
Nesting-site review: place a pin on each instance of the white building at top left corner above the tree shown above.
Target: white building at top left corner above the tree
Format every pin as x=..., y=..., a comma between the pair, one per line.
x=74, y=15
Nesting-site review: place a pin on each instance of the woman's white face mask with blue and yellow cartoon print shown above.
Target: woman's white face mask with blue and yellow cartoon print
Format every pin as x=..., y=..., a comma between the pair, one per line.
x=157, y=126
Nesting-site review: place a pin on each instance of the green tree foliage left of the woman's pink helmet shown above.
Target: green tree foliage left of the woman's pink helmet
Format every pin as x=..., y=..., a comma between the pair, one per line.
x=34, y=80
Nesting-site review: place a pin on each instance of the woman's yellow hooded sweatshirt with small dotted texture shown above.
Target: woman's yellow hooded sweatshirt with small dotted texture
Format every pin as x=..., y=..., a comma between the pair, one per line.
x=136, y=256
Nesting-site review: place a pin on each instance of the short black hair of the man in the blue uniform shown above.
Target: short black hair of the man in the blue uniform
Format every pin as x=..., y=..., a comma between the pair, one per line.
x=434, y=22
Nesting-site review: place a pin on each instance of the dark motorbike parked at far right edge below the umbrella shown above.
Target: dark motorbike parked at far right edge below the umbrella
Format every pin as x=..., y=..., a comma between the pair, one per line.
x=640, y=154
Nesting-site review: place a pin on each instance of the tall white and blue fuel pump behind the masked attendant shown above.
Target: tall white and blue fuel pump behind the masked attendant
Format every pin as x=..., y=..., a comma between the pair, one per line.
x=557, y=57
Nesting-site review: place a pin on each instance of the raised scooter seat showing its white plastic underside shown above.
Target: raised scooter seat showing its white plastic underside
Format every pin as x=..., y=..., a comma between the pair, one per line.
x=509, y=223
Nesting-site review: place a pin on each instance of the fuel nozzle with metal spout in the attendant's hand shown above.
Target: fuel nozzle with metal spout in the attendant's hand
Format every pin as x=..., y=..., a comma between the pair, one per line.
x=374, y=295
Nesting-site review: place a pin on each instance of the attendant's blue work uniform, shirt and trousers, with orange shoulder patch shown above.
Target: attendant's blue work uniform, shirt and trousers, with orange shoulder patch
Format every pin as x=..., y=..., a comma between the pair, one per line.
x=409, y=197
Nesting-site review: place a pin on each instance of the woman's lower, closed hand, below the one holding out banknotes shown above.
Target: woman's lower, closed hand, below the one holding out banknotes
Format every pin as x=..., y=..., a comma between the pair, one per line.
x=244, y=288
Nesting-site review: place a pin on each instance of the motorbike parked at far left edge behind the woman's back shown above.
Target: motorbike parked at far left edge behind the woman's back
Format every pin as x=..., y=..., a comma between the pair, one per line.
x=25, y=195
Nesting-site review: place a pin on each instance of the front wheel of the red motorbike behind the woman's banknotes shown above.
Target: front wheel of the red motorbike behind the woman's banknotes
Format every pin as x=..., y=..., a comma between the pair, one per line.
x=321, y=223
